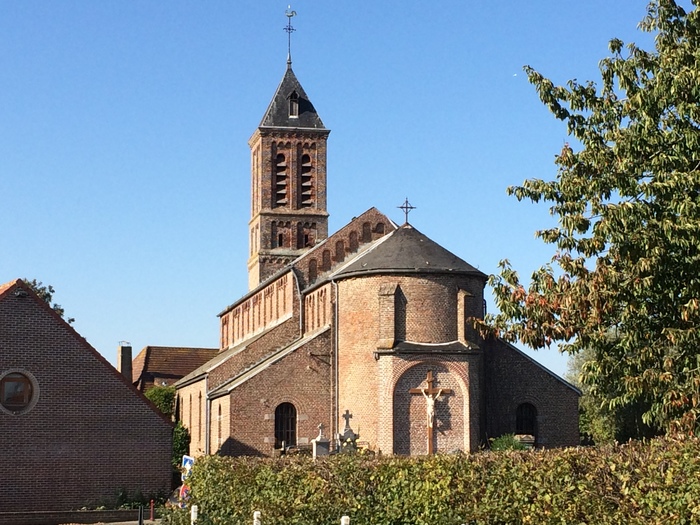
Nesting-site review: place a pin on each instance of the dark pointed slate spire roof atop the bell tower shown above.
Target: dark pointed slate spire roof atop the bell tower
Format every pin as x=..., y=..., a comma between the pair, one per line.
x=277, y=114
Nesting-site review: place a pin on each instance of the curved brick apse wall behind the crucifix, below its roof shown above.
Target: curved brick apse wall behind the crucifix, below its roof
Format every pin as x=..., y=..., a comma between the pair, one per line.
x=374, y=388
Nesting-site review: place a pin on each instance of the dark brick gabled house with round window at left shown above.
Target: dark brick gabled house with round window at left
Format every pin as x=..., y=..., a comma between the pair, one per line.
x=75, y=432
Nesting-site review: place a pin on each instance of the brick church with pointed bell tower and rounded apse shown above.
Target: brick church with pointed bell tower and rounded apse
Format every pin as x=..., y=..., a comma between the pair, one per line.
x=371, y=321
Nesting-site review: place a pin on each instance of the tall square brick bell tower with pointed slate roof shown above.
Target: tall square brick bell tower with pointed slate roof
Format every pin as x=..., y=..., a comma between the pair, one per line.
x=288, y=189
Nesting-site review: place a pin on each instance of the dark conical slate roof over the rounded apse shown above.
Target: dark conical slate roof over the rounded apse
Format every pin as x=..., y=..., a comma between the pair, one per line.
x=406, y=250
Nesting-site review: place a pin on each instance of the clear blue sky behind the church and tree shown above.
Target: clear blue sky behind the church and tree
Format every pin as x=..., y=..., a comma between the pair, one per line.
x=124, y=164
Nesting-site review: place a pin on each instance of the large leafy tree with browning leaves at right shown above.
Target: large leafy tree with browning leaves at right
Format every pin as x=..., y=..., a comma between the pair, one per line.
x=627, y=202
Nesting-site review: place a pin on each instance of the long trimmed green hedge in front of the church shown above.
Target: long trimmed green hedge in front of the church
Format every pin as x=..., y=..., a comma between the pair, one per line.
x=654, y=482
